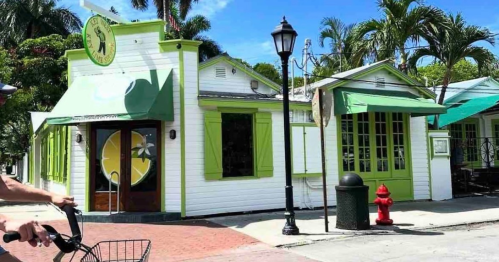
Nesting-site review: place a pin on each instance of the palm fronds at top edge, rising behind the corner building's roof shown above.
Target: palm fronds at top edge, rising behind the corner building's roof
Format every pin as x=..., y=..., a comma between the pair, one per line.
x=163, y=7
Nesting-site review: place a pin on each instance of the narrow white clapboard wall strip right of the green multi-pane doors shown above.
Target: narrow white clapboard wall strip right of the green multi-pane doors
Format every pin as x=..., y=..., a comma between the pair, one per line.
x=419, y=146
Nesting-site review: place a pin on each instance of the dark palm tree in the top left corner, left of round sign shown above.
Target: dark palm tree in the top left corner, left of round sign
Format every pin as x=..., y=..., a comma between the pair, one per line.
x=23, y=19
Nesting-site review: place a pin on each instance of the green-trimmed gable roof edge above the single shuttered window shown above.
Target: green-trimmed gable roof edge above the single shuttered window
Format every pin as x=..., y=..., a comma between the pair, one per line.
x=247, y=70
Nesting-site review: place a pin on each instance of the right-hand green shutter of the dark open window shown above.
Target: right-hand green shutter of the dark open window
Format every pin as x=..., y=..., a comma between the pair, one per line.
x=264, y=156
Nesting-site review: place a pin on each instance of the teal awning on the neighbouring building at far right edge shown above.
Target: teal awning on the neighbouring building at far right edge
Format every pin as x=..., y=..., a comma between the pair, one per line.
x=471, y=107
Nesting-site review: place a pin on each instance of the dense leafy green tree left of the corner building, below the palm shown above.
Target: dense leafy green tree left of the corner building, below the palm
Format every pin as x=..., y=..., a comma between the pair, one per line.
x=38, y=68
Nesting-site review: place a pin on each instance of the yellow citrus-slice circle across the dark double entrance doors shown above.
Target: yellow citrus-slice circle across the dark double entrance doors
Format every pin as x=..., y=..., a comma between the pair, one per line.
x=111, y=158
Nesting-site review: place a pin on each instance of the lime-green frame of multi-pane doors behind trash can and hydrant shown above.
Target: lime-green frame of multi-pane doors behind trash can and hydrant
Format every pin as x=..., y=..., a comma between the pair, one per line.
x=373, y=175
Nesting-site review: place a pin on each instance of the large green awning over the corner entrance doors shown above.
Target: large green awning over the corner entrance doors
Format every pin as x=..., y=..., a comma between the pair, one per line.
x=146, y=95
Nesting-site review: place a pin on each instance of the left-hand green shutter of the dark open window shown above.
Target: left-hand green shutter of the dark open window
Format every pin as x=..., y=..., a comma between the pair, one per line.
x=213, y=169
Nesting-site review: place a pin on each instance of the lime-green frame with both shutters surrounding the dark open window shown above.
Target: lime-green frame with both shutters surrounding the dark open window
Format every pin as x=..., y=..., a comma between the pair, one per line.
x=263, y=152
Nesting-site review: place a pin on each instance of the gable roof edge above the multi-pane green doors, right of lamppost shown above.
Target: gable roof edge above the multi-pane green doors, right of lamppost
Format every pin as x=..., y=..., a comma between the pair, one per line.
x=342, y=78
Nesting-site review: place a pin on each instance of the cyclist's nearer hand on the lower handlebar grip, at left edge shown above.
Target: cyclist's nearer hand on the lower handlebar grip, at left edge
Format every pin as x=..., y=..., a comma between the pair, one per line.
x=27, y=230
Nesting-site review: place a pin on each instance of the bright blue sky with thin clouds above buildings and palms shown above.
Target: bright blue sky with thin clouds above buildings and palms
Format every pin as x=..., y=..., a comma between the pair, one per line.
x=243, y=27
